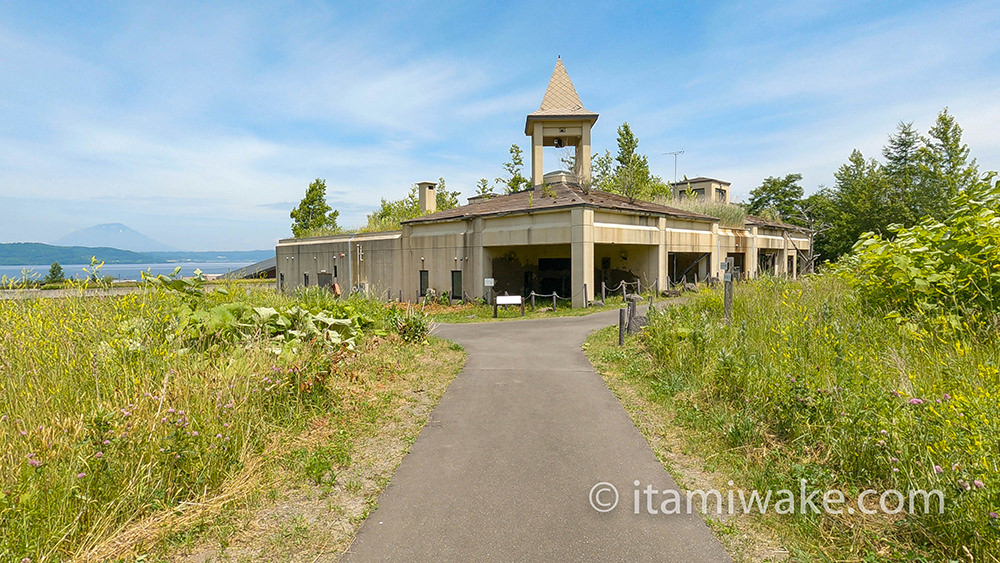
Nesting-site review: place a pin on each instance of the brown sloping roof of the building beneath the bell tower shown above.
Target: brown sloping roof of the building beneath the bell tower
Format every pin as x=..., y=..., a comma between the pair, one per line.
x=565, y=196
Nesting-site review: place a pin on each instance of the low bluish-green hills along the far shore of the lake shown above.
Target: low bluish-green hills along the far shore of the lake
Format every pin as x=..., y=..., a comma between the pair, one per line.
x=36, y=253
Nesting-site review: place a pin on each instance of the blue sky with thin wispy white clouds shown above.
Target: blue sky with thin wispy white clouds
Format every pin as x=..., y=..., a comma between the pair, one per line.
x=201, y=125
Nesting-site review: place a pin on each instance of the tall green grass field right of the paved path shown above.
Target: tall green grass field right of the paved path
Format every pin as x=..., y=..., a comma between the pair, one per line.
x=808, y=384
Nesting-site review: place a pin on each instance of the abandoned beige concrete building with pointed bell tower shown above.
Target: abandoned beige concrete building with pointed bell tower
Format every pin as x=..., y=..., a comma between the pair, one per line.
x=559, y=236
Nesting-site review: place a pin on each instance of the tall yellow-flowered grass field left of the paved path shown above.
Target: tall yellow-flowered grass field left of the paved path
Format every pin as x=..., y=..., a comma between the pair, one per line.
x=126, y=420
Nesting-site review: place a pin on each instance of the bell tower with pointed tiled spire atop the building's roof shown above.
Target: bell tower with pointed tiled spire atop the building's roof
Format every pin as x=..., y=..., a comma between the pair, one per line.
x=561, y=121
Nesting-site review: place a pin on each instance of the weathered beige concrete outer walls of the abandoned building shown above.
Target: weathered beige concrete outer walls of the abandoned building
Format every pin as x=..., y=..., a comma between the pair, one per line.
x=390, y=262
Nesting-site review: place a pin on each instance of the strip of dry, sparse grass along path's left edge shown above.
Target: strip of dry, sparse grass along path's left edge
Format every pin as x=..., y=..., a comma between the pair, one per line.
x=305, y=521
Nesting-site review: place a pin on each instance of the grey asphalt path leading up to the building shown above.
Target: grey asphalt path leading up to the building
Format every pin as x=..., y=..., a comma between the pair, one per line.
x=505, y=465
